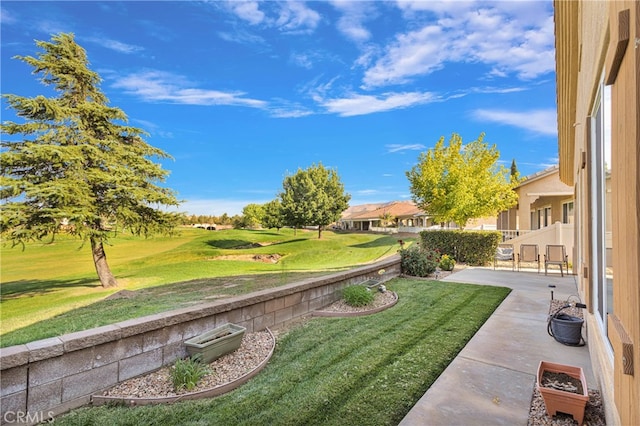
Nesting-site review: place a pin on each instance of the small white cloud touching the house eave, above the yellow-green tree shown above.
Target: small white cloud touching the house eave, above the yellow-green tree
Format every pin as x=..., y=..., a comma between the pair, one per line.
x=542, y=121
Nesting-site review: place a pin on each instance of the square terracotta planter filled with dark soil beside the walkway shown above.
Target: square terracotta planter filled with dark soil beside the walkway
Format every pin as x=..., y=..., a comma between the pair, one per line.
x=563, y=388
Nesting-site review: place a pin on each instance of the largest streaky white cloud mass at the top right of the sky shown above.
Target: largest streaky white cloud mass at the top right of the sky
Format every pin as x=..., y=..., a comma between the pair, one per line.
x=510, y=38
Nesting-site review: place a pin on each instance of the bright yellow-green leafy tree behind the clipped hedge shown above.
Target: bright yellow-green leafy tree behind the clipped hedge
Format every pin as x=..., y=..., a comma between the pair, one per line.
x=457, y=183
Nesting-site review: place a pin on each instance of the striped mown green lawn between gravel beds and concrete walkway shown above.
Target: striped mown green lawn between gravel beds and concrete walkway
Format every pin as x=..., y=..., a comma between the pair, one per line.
x=339, y=371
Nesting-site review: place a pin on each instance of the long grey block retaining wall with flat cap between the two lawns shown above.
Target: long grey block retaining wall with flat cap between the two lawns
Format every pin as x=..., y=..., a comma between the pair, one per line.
x=48, y=377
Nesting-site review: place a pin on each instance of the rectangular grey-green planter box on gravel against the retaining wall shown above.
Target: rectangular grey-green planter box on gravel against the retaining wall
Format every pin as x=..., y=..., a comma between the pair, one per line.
x=215, y=343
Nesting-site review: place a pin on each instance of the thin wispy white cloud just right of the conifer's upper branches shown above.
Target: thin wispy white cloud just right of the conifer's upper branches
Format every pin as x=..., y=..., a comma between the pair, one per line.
x=161, y=86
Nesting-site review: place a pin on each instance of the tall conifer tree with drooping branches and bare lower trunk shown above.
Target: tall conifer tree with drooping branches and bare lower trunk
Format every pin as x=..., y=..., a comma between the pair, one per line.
x=73, y=160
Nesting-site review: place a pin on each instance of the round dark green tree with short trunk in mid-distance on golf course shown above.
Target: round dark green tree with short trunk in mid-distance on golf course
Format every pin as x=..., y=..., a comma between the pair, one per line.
x=314, y=197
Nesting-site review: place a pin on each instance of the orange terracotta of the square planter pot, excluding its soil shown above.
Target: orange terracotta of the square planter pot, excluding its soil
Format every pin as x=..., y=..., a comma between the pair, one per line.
x=559, y=400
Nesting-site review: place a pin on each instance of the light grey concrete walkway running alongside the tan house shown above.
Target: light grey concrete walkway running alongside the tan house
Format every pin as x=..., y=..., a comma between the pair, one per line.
x=491, y=381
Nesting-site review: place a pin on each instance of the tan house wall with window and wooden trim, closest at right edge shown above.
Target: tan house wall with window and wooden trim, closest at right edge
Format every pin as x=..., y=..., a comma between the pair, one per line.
x=598, y=98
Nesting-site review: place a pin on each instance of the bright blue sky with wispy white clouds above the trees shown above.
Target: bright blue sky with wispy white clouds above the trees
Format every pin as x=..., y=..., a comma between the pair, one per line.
x=242, y=93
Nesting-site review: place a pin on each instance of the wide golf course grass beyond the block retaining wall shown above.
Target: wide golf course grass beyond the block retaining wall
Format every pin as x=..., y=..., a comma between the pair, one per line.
x=52, y=289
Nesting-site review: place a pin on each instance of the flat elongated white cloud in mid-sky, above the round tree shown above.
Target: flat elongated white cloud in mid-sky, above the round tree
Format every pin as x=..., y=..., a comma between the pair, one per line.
x=367, y=104
